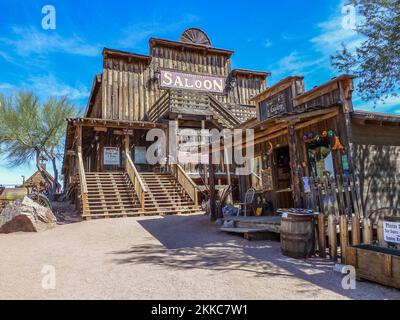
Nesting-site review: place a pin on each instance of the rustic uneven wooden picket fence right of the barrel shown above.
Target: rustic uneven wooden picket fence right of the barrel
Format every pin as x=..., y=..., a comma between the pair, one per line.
x=342, y=221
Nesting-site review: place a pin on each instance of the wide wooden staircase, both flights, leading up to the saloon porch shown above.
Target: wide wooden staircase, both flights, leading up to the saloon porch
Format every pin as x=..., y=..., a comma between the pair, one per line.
x=111, y=194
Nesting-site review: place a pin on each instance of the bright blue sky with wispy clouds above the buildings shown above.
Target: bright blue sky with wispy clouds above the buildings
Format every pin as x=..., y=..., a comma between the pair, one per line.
x=281, y=37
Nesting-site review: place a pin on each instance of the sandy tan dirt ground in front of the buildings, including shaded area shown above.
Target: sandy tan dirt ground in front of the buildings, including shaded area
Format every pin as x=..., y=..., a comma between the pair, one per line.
x=177, y=257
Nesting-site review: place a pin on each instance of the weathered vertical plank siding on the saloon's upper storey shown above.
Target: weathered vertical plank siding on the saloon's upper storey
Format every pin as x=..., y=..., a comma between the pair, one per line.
x=129, y=88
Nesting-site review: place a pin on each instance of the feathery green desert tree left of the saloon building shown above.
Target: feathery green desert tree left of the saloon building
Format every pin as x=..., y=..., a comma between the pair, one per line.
x=30, y=131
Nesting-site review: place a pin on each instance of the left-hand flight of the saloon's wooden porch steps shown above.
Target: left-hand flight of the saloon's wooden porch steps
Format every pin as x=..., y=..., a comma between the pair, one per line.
x=111, y=194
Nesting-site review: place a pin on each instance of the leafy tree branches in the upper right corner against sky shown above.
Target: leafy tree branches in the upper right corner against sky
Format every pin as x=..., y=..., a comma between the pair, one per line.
x=376, y=60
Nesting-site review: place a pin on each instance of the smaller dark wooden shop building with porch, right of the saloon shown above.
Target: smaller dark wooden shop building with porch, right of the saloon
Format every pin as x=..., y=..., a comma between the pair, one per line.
x=313, y=150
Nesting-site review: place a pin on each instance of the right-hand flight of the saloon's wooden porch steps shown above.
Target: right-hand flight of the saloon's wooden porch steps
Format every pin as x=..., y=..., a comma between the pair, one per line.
x=165, y=195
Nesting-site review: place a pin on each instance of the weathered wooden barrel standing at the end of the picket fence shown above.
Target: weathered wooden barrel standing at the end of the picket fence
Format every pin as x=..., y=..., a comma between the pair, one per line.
x=297, y=235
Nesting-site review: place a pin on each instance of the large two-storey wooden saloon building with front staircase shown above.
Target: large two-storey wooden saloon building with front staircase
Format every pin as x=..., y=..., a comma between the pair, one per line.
x=188, y=82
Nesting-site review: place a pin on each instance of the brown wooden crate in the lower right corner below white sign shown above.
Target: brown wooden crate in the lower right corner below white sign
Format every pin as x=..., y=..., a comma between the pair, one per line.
x=376, y=264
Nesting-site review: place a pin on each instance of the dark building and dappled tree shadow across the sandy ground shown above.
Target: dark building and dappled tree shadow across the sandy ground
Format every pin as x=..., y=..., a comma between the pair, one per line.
x=192, y=242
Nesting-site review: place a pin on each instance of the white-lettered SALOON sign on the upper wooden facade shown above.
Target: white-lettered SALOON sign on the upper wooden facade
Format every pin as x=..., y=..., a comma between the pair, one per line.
x=180, y=80
